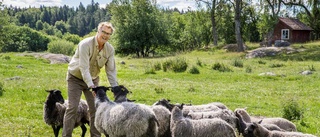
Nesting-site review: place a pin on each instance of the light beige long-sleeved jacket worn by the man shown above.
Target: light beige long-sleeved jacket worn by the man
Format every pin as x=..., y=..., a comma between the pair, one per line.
x=87, y=61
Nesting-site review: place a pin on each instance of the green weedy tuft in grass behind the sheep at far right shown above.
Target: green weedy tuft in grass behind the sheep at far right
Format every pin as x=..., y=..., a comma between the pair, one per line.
x=292, y=110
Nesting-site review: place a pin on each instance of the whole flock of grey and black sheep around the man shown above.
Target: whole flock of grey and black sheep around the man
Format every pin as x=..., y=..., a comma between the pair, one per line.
x=123, y=117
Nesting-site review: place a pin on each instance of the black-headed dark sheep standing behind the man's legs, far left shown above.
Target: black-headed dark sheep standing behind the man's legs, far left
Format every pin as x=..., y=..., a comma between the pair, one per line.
x=54, y=110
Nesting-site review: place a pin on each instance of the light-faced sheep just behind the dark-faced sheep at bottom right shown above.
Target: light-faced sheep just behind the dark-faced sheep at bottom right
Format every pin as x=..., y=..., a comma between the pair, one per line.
x=282, y=123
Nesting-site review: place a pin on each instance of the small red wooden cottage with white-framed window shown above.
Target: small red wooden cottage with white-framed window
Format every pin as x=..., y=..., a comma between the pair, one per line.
x=291, y=30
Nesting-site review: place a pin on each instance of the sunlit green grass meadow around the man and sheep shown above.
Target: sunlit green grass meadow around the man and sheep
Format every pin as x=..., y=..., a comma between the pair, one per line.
x=22, y=89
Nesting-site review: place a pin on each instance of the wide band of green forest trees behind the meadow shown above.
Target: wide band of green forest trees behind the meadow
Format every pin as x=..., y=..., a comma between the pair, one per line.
x=143, y=28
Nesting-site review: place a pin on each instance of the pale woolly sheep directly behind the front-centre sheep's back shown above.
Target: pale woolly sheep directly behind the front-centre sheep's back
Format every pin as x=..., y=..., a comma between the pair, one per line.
x=224, y=114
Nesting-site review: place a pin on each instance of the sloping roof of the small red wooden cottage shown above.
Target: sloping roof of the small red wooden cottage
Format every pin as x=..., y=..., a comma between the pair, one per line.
x=295, y=24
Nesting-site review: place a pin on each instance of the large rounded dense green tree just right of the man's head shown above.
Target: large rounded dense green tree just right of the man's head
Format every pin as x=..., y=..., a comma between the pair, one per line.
x=138, y=28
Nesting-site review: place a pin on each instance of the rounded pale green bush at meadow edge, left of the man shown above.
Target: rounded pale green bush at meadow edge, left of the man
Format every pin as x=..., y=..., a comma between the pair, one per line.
x=61, y=47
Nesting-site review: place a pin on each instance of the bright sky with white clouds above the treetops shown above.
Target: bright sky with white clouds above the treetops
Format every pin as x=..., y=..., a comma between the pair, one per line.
x=180, y=4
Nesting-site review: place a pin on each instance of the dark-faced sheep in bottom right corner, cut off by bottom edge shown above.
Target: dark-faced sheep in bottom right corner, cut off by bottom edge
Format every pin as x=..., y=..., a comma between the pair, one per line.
x=260, y=131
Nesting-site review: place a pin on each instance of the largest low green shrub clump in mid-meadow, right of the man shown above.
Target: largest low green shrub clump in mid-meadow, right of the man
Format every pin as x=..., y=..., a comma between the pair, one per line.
x=176, y=65
